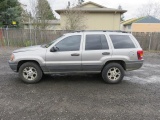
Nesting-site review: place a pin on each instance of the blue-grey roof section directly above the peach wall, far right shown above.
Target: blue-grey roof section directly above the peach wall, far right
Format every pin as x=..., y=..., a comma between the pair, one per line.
x=148, y=19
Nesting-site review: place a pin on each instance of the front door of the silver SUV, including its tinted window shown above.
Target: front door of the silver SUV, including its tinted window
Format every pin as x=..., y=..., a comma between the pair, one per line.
x=68, y=56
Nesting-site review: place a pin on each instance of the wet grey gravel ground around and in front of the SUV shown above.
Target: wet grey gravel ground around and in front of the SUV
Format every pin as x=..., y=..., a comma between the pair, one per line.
x=81, y=97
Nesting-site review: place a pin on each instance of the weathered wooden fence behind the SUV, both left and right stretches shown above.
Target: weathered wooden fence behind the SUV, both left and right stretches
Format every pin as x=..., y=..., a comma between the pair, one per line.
x=23, y=37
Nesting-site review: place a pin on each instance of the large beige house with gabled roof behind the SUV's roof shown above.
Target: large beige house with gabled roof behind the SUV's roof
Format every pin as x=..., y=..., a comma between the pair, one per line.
x=98, y=17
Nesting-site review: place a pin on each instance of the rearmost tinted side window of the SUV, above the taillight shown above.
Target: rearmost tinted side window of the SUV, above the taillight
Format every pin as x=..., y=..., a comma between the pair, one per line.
x=122, y=41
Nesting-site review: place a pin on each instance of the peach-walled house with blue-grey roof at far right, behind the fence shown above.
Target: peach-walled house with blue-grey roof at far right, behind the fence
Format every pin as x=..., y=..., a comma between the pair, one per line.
x=143, y=24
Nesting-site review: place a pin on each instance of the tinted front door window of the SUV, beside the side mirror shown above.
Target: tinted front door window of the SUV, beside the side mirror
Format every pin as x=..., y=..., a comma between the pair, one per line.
x=71, y=43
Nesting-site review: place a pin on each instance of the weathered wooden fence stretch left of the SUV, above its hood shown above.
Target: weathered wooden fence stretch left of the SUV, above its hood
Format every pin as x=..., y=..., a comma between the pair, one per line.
x=25, y=37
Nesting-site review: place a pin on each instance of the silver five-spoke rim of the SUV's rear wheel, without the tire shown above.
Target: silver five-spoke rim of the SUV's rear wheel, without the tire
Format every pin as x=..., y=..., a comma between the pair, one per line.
x=114, y=74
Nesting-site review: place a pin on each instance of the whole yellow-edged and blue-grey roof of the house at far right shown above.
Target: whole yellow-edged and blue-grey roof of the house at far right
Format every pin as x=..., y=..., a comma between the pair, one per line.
x=147, y=19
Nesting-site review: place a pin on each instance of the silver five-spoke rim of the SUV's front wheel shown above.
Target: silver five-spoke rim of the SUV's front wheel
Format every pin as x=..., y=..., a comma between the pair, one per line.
x=30, y=73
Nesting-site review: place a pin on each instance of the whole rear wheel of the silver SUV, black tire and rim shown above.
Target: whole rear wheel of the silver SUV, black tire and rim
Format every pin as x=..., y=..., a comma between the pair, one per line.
x=113, y=73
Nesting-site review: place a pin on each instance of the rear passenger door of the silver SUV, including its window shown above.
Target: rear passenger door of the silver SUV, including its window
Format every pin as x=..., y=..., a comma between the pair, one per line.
x=96, y=52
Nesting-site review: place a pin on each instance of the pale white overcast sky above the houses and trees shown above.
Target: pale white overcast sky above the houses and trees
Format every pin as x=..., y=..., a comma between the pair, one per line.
x=130, y=5
